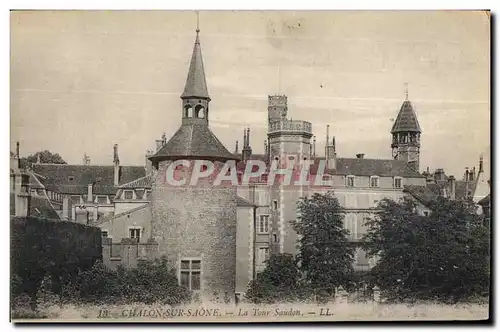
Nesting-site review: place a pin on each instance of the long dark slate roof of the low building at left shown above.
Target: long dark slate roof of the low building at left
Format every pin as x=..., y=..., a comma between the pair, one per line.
x=74, y=179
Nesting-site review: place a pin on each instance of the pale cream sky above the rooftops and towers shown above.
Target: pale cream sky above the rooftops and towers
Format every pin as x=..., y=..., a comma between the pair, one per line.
x=82, y=81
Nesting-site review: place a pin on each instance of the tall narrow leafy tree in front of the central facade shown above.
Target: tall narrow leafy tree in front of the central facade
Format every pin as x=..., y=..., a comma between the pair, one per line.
x=325, y=255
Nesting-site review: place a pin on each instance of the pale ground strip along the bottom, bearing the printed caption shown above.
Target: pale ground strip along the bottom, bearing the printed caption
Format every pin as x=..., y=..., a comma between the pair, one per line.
x=280, y=312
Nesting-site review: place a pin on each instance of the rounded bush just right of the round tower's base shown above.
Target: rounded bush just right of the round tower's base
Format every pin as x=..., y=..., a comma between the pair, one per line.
x=278, y=282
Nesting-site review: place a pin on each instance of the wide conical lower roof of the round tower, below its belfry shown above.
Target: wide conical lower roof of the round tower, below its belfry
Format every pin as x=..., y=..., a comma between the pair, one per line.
x=193, y=141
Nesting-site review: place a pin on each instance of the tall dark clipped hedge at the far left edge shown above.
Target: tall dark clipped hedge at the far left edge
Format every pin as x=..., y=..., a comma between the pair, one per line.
x=41, y=247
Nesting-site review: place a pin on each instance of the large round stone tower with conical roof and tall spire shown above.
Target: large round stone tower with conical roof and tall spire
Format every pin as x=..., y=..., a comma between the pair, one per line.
x=195, y=224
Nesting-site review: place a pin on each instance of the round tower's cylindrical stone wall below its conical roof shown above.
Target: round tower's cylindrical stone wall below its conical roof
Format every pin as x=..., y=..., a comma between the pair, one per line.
x=197, y=222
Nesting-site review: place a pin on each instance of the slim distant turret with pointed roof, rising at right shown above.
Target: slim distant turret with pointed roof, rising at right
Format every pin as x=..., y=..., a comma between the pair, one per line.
x=406, y=135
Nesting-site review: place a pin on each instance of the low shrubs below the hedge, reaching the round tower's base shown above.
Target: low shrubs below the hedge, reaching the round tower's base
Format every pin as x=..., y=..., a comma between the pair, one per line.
x=150, y=282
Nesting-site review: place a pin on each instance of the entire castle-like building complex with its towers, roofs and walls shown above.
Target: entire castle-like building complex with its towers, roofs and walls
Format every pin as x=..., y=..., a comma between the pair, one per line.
x=219, y=238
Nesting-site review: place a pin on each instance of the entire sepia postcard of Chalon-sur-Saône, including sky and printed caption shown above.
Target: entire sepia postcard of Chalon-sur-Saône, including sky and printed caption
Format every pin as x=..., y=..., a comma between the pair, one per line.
x=249, y=166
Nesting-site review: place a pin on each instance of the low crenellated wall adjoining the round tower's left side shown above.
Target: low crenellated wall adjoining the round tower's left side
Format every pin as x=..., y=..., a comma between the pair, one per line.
x=127, y=252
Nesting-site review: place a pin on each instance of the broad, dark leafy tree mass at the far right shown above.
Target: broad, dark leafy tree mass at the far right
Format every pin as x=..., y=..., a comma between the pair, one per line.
x=443, y=256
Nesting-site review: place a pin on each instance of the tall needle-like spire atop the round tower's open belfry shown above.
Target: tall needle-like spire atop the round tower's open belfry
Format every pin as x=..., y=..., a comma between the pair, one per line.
x=196, y=84
